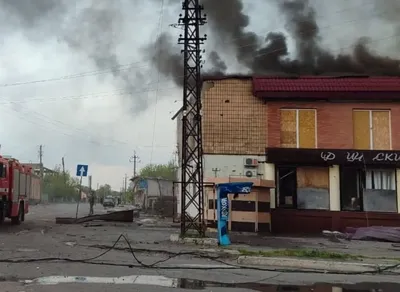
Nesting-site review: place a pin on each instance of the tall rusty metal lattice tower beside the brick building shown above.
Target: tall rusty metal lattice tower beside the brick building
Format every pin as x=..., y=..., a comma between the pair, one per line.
x=192, y=194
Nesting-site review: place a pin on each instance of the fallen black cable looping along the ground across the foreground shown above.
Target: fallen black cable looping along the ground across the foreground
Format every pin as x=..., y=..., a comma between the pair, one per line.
x=140, y=264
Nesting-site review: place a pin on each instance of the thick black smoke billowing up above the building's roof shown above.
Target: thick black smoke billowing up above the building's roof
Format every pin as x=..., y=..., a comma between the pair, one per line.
x=270, y=54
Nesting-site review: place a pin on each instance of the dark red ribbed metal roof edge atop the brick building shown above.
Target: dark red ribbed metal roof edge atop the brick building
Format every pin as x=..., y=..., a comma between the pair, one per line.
x=322, y=87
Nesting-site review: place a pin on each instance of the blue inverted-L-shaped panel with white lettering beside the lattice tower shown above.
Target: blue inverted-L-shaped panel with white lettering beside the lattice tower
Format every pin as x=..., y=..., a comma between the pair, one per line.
x=223, y=190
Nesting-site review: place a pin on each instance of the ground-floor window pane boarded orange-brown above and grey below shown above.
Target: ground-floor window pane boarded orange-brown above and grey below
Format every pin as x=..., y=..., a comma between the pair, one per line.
x=313, y=188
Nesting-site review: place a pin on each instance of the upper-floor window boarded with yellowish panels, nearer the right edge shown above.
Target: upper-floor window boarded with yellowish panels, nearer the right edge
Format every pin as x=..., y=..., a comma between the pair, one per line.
x=371, y=130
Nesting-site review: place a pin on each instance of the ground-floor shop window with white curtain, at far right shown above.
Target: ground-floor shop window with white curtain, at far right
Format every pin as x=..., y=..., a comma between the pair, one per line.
x=372, y=190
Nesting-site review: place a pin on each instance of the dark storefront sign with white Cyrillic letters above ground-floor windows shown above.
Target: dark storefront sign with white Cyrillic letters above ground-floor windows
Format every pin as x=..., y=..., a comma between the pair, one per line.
x=330, y=157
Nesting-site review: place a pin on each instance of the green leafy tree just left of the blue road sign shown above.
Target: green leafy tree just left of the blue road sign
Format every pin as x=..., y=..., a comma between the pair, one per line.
x=60, y=186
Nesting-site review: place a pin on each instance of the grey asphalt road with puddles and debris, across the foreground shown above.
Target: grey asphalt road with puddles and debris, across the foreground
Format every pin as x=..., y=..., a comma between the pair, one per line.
x=118, y=270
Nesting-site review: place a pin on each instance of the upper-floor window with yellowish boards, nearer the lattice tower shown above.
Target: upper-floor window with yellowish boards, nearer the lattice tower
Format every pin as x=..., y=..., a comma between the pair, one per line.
x=298, y=128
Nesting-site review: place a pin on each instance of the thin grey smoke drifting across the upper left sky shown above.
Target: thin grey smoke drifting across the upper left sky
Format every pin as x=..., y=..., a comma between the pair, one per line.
x=93, y=31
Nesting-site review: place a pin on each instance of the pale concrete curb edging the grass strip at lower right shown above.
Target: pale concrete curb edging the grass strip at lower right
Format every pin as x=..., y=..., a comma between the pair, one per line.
x=331, y=266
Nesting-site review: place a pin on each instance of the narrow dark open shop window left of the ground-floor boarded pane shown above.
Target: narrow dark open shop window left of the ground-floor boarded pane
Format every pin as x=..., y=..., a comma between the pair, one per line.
x=286, y=187
